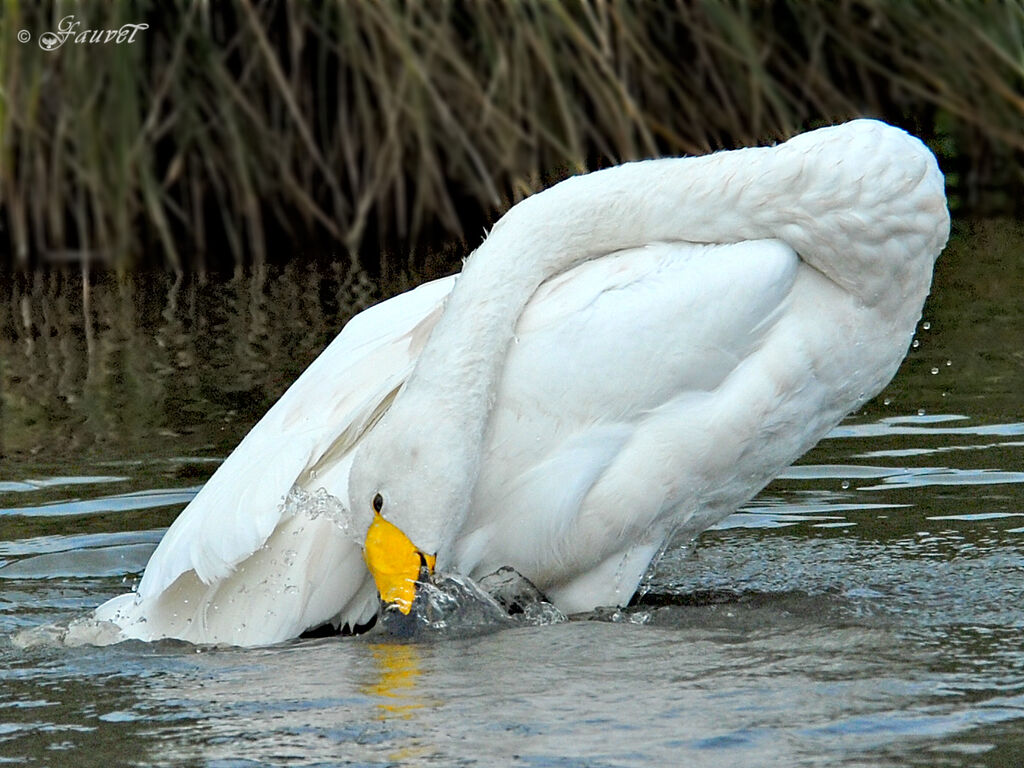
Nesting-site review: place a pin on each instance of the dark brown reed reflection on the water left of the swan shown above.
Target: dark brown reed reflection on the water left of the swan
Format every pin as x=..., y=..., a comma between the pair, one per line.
x=151, y=364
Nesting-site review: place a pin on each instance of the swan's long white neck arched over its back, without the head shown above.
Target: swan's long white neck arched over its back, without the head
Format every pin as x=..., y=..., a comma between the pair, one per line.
x=863, y=203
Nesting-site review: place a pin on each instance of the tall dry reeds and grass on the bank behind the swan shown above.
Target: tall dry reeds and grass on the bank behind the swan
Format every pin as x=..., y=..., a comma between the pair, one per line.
x=231, y=135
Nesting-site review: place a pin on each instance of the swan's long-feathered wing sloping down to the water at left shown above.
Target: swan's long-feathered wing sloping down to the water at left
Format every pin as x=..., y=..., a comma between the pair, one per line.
x=334, y=400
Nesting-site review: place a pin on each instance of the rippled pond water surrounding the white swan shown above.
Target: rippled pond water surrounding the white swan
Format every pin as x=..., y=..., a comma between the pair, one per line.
x=866, y=610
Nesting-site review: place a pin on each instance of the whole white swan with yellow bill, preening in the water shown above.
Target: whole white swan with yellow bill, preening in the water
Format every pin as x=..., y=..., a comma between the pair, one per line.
x=630, y=353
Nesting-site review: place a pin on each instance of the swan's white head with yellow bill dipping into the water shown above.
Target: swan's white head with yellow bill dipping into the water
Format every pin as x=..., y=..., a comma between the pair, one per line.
x=416, y=494
